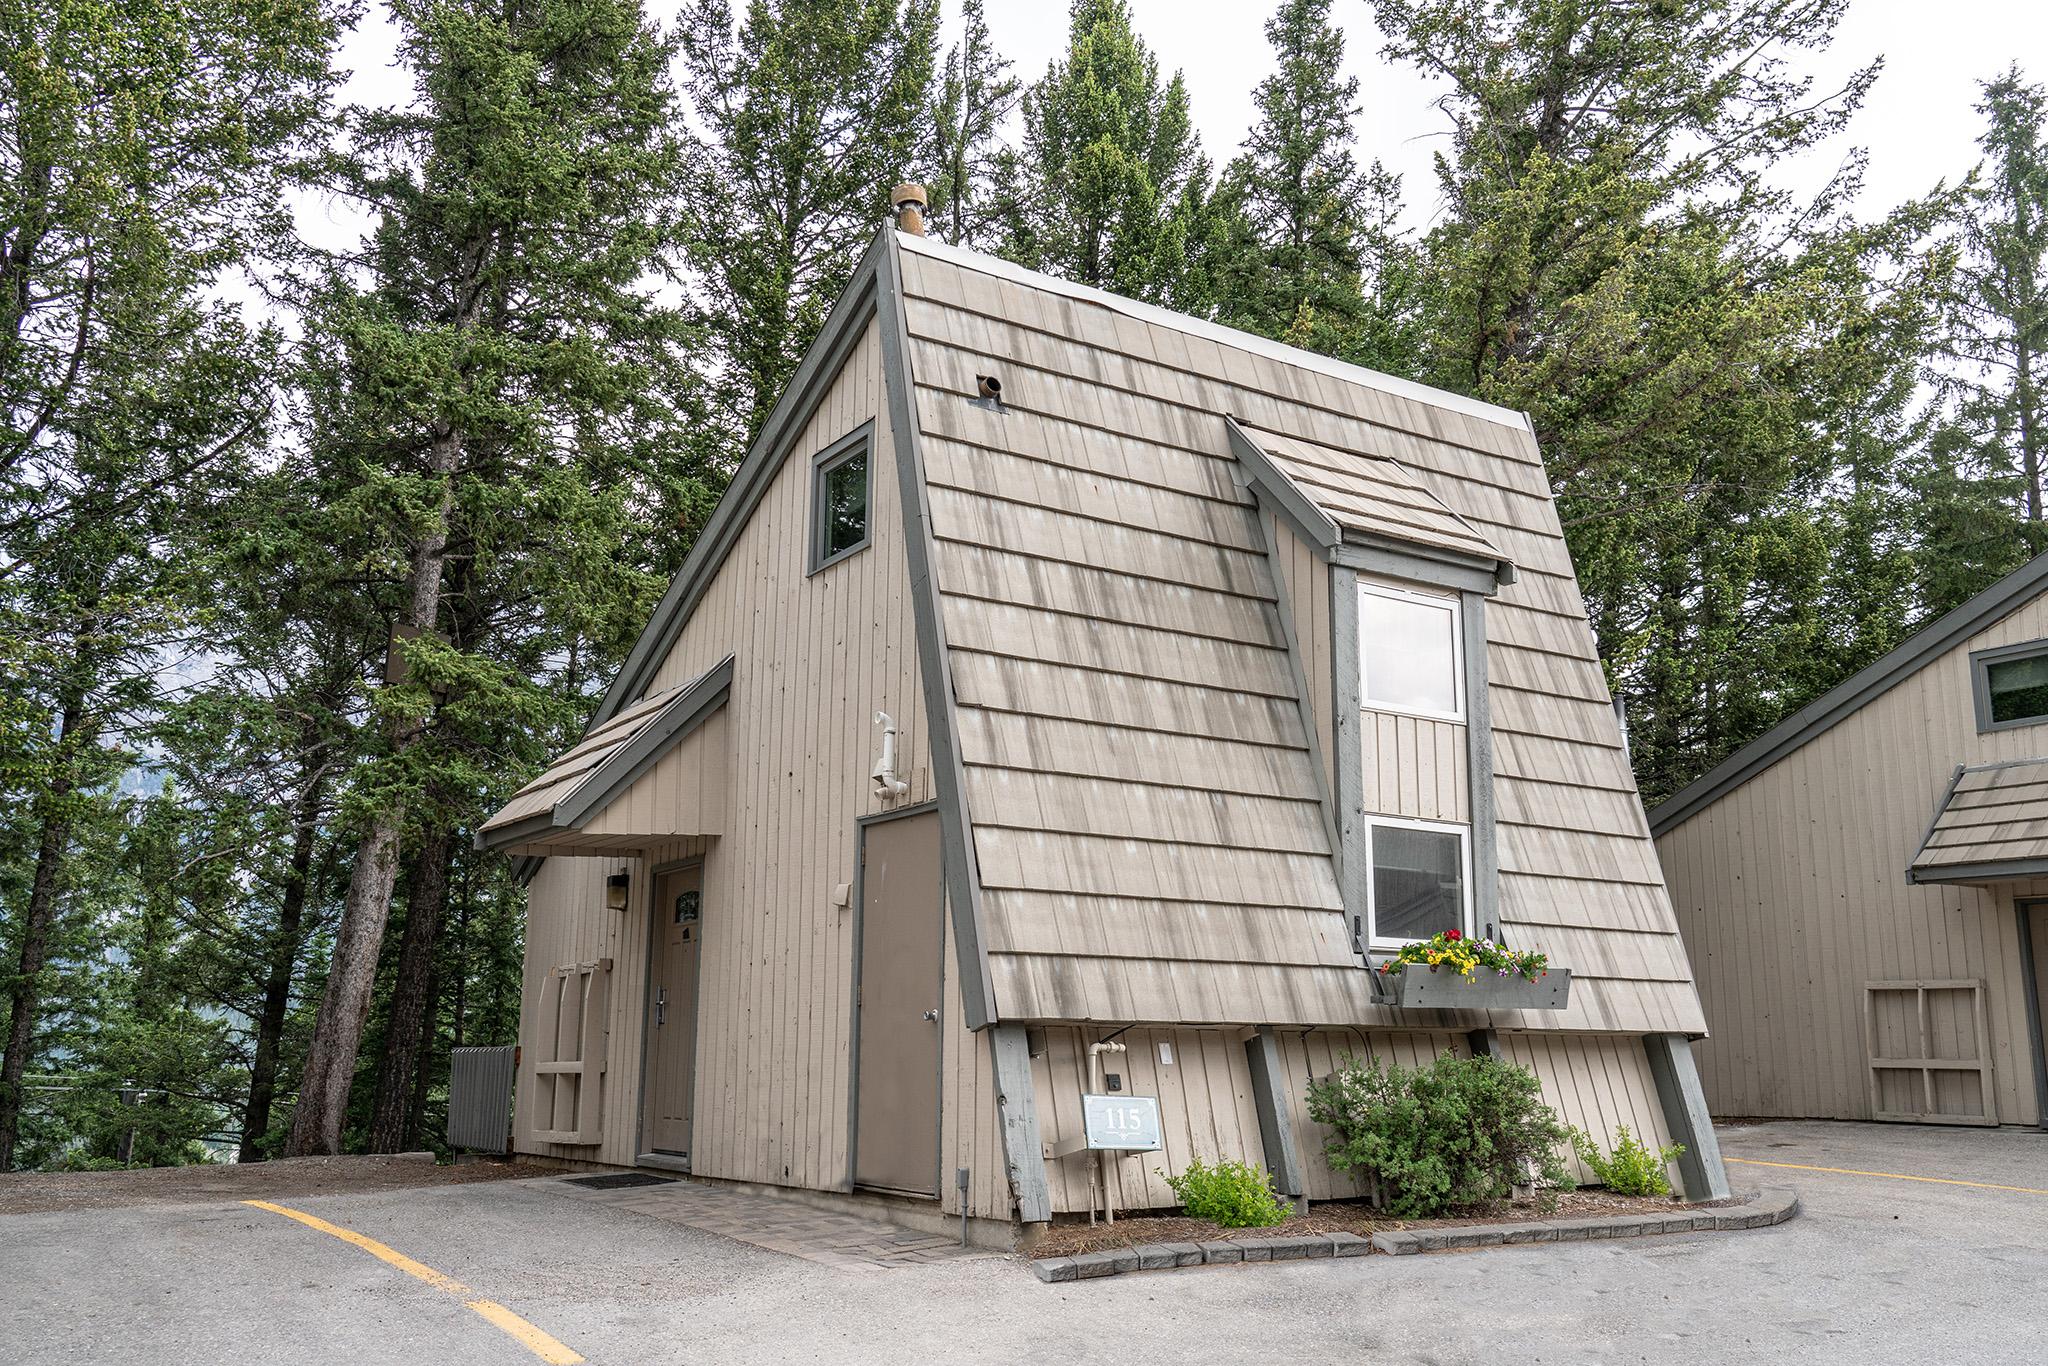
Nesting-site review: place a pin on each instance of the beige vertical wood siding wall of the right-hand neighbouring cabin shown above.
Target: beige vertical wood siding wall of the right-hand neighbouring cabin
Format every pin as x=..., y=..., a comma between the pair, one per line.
x=1793, y=896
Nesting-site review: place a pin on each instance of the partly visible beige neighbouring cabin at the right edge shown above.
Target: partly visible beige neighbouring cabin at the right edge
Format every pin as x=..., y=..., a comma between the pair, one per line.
x=1865, y=890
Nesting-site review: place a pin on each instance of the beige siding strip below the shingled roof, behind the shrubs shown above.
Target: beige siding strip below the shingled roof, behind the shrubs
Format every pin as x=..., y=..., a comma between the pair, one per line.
x=1207, y=1103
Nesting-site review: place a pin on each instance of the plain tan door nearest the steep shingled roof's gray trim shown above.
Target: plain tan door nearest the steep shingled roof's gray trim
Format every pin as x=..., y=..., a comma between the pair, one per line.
x=902, y=941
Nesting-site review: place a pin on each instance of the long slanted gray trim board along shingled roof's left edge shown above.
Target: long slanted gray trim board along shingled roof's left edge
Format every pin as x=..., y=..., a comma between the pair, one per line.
x=957, y=841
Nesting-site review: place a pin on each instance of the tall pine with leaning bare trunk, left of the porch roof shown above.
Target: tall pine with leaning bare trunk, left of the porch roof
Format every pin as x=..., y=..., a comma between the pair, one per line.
x=513, y=402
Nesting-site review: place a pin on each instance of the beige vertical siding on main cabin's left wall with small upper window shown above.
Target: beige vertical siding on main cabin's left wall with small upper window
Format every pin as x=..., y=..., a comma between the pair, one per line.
x=816, y=658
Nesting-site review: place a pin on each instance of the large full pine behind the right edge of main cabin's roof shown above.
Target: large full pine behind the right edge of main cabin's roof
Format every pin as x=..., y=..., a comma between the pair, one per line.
x=1695, y=347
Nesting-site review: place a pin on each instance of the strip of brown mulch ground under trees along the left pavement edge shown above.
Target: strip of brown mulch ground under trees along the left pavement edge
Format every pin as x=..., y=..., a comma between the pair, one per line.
x=38, y=1193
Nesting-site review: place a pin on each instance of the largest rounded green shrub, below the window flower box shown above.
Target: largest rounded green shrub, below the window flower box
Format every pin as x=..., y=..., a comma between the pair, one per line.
x=1441, y=1140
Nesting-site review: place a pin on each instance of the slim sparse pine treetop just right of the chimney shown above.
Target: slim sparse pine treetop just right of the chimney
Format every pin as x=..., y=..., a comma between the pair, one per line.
x=968, y=165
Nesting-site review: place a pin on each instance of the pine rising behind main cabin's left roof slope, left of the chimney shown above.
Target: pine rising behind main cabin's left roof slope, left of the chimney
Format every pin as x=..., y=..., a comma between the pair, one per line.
x=812, y=114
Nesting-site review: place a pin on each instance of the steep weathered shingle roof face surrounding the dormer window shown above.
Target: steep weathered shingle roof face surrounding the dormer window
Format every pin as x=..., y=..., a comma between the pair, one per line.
x=1111, y=615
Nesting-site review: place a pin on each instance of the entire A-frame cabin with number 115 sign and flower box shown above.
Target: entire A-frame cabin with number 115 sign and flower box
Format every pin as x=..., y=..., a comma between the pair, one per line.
x=1070, y=697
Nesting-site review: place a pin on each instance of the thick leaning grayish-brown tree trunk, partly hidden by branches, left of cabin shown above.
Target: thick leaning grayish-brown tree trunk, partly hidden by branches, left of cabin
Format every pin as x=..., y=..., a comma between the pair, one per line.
x=331, y=1064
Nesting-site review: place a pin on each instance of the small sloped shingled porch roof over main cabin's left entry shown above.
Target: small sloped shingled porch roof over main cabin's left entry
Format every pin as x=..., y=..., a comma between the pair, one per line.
x=585, y=781
